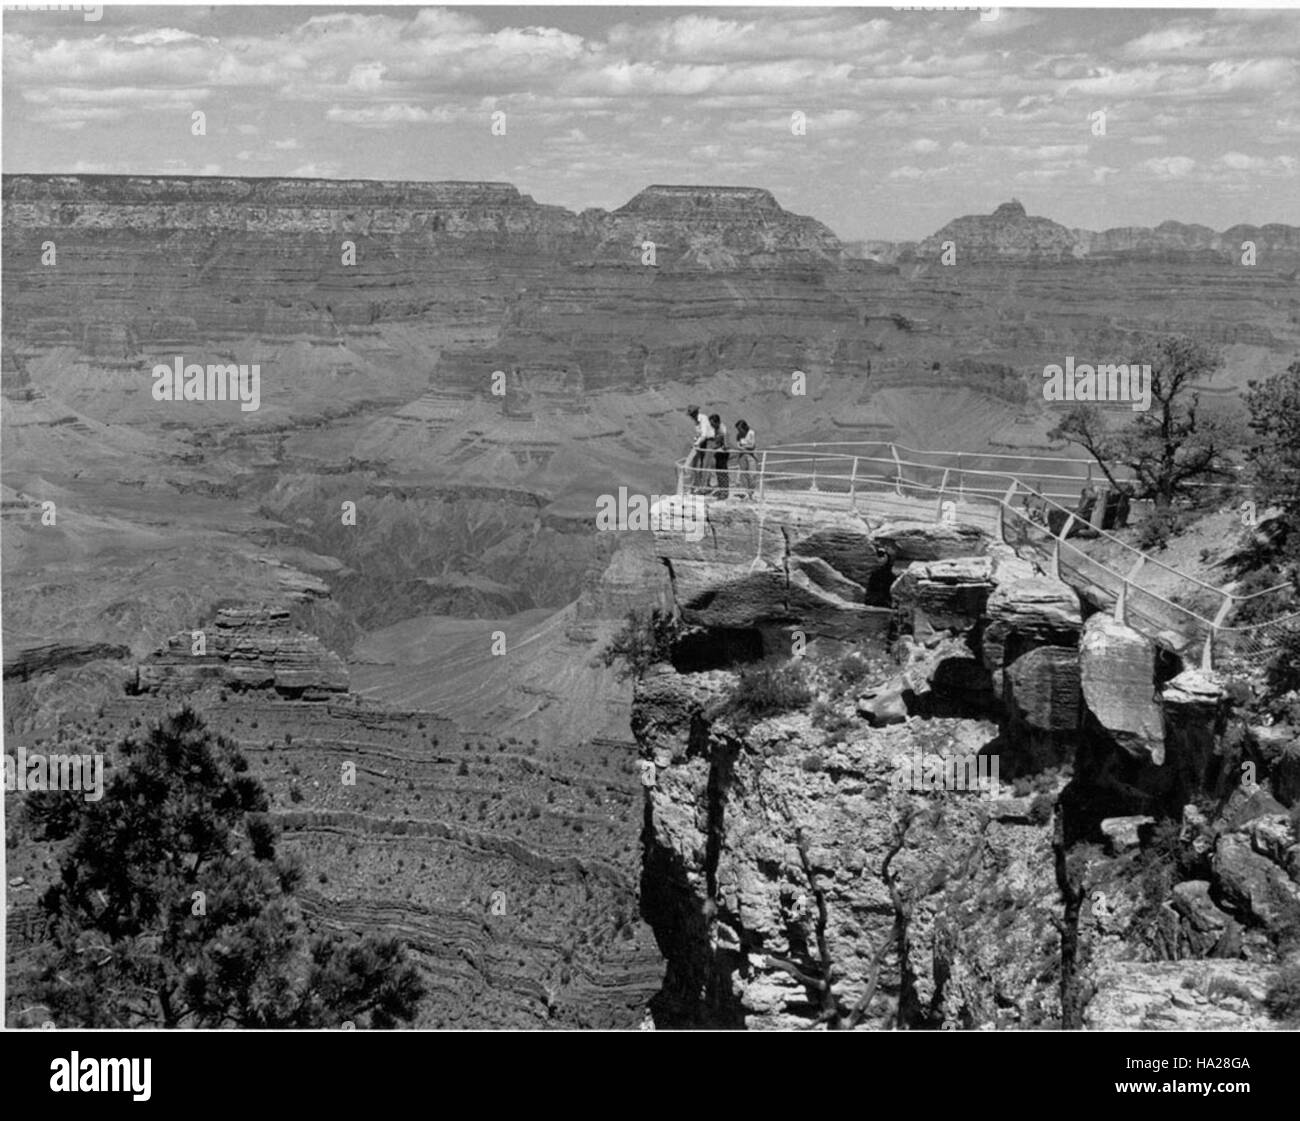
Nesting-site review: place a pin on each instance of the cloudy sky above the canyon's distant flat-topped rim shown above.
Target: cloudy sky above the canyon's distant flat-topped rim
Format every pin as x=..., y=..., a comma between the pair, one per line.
x=912, y=118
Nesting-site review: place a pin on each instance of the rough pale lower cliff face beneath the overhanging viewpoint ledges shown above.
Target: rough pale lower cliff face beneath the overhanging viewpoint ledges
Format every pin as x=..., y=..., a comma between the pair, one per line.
x=772, y=867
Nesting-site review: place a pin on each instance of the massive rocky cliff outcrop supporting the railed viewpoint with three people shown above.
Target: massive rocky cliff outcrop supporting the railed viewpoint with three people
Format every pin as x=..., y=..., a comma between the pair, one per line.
x=801, y=872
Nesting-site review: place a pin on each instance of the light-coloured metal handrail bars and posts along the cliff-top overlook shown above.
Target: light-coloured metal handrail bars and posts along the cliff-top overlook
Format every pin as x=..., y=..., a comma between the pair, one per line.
x=1256, y=638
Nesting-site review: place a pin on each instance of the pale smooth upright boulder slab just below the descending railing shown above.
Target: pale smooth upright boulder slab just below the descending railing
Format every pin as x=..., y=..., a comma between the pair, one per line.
x=1117, y=673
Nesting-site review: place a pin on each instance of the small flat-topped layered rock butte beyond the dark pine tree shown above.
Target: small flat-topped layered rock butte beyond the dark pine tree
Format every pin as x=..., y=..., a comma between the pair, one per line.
x=245, y=650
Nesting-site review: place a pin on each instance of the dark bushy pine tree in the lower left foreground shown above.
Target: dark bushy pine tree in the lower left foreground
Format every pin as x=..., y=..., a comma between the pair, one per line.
x=175, y=911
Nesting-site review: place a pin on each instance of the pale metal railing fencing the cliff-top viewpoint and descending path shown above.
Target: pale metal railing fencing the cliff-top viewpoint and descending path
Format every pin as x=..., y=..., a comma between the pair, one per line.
x=904, y=479
